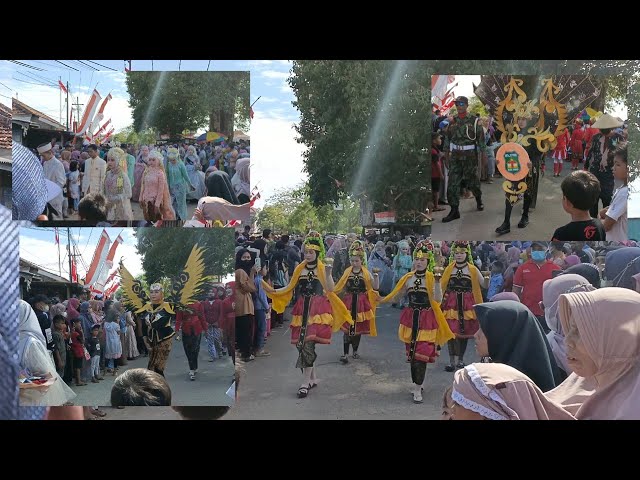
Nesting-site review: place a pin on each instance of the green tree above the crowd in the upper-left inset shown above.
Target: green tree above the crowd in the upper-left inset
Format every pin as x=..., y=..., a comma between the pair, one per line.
x=172, y=102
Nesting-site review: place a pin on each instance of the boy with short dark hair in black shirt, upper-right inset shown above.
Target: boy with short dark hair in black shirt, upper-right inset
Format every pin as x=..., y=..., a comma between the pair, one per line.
x=580, y=191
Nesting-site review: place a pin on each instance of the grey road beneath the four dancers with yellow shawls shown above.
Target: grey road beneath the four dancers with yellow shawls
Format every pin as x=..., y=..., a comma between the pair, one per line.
x=376, y=386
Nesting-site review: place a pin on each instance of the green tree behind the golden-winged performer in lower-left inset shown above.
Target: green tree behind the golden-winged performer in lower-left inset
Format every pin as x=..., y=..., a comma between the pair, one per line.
x=166, y=250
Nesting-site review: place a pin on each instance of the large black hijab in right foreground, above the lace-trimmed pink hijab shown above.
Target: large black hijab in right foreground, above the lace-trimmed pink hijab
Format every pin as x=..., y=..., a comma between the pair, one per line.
x=515, y=338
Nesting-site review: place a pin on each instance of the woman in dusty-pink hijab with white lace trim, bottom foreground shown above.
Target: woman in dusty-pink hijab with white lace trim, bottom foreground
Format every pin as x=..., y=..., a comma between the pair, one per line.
x=493, y=391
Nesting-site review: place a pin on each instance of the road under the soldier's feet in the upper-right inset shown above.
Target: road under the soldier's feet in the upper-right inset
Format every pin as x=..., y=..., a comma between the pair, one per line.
x=474, y=225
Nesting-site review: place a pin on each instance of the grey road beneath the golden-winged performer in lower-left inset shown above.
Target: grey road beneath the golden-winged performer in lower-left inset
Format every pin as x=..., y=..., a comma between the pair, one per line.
x=210, y=387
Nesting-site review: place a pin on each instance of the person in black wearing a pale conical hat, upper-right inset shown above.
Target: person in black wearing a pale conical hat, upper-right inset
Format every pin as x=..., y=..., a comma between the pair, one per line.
x=600, y=158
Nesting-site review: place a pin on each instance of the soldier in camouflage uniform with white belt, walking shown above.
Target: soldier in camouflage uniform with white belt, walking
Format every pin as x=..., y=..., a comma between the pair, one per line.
x=465, y=141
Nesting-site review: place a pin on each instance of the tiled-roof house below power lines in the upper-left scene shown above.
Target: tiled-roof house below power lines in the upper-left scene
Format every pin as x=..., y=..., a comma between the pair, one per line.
x=31, y=127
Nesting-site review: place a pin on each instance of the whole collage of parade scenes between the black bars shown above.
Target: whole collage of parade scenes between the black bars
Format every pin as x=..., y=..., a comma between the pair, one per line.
x=420, y=241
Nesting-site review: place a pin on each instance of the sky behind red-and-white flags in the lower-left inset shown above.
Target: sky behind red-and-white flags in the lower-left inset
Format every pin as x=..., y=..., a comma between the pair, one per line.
x=38, y=245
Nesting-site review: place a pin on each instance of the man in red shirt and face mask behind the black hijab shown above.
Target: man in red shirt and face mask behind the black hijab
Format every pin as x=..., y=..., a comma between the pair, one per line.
x=529, y=278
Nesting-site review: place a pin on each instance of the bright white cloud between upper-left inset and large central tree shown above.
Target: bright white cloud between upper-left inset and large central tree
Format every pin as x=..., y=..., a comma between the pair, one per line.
x=277, y=162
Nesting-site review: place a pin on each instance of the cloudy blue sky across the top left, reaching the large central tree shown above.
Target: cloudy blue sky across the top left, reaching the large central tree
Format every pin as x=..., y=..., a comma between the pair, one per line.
x=278, y=161
